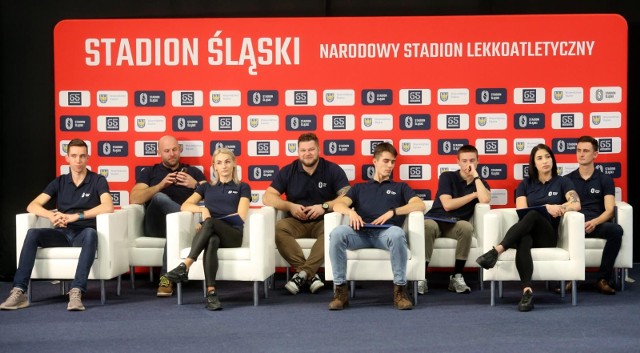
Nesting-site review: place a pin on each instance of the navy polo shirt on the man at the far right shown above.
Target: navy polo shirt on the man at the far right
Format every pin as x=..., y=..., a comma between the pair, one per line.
x=592, y=192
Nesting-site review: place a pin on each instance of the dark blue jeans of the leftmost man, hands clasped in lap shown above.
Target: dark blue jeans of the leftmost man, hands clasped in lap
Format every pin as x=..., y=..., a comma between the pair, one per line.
x=86, y=238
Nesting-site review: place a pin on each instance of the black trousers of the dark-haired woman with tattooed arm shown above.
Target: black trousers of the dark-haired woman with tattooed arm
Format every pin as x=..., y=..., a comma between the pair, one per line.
x=532, y=231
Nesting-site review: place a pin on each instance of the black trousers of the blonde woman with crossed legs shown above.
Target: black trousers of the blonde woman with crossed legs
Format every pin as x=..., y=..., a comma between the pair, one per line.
x=213, y=235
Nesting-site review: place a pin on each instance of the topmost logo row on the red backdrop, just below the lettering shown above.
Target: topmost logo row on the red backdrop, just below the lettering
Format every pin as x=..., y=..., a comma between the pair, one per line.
x=340, y=97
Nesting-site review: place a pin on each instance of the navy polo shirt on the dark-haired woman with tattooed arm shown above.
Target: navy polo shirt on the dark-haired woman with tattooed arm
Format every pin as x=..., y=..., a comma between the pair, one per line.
x=551, y=192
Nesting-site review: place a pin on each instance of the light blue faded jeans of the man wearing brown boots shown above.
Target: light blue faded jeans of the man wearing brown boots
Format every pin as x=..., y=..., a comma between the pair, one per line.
x=344, y=238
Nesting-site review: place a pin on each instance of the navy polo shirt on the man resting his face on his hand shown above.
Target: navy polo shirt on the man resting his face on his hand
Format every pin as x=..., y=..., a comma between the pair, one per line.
x=452, y=183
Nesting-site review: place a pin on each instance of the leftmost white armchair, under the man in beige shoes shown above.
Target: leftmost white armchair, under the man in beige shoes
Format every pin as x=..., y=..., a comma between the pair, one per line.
x=60, y=263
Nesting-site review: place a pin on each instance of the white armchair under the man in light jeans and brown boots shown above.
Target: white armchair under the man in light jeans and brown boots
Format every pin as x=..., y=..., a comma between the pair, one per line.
x=375, y=264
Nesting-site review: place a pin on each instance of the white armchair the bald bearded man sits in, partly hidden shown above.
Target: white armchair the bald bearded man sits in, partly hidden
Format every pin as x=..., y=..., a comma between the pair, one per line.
x=143, y=251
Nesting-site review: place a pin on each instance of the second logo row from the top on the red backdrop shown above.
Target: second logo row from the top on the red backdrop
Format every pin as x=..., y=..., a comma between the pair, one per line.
x=344, y=122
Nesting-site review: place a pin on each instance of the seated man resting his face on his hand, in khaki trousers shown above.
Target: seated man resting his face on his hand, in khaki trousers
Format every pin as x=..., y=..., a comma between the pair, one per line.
x=458, y=193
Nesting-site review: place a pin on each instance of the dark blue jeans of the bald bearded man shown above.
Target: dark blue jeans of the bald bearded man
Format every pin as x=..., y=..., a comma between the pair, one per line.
x=155, y=220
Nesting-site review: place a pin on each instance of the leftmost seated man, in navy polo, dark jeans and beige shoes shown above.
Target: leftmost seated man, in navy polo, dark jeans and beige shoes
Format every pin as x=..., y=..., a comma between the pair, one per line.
x=80, y=196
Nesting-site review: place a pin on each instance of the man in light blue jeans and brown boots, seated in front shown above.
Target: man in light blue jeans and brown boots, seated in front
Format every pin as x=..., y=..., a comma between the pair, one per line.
x=380, y=201
